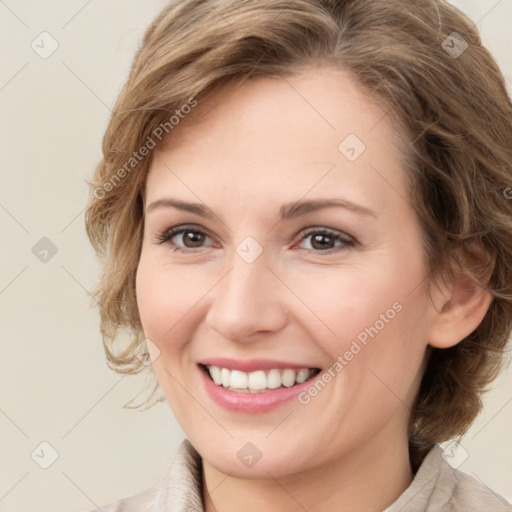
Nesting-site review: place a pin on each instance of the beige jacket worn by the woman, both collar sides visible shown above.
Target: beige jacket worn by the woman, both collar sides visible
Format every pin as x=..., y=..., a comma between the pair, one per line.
x=437, y=487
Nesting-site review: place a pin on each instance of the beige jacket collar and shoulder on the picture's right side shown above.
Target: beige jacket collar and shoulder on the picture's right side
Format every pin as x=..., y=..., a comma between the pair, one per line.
x=439, y=487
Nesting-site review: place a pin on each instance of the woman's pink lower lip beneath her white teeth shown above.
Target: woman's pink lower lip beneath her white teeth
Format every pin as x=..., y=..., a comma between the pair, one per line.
x=252, y=402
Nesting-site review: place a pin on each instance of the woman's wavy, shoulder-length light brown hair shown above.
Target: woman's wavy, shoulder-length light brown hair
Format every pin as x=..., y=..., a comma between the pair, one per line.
x=453, y=109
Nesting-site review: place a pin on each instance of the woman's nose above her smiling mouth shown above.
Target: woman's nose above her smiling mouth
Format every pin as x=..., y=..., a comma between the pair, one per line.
x=247, y=302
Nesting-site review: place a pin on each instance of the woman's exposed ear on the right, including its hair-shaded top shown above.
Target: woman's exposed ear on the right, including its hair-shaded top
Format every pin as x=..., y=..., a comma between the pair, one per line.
x=460, y=302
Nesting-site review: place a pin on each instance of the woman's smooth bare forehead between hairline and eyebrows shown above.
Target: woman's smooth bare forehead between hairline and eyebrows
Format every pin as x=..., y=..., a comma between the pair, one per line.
x=316, y=131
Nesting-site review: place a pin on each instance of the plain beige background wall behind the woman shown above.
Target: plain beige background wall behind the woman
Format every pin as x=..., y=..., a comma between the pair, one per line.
x=54, y=382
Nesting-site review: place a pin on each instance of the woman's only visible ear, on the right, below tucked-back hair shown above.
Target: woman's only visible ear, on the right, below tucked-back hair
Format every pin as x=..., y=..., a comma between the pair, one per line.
x=460, y=306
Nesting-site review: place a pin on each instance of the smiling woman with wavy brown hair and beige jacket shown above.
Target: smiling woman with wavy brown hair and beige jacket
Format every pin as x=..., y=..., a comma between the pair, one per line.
x=303, y=214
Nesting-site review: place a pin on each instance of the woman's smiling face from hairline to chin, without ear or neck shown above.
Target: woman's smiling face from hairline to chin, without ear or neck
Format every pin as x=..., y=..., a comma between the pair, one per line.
x=272, y=286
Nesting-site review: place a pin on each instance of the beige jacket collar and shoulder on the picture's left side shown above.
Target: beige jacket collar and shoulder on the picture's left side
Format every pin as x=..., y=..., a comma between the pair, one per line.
x=178, y=489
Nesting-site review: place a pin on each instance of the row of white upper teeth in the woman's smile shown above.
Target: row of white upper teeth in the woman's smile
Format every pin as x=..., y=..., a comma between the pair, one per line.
x=258, y=381
